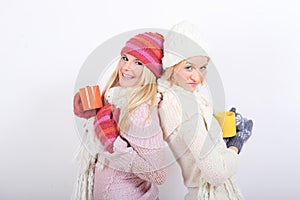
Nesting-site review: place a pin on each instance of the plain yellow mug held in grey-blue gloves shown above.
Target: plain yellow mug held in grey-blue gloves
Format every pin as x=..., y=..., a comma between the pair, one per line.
x=227, y=122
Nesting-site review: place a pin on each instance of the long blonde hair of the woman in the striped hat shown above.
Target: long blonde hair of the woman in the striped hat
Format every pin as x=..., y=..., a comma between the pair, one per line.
x=144, y=93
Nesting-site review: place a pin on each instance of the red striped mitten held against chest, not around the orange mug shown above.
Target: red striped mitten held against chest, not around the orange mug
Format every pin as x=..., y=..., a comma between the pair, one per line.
x=106, y=127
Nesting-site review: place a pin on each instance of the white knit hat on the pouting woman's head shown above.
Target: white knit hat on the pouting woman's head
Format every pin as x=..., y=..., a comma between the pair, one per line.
x=182, y=41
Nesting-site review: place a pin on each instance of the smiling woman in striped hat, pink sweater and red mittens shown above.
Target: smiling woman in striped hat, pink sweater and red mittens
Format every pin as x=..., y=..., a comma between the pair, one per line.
x=127, y=162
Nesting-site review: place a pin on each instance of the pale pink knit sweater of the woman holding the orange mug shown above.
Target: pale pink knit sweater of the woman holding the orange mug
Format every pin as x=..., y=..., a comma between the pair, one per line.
x=133, y=172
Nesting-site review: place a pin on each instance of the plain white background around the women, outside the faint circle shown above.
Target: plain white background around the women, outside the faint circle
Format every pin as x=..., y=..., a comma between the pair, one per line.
x=254, y=45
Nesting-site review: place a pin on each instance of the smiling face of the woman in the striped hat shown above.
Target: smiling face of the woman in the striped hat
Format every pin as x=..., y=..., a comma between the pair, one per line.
x=130, y=71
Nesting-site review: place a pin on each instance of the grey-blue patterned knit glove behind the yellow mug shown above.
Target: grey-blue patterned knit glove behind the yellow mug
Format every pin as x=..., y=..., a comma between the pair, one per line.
x=244, y=131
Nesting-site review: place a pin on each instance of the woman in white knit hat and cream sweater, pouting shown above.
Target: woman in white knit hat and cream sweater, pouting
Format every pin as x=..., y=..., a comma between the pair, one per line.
x=194, y=136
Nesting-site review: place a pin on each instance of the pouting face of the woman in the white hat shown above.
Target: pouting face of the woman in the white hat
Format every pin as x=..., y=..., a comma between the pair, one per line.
x=191, y=72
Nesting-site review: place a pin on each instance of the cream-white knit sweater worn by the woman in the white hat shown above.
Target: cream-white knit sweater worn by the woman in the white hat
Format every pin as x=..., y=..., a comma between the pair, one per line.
x=194, y=137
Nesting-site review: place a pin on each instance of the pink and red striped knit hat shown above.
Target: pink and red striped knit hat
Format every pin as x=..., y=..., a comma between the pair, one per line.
x=148, y=48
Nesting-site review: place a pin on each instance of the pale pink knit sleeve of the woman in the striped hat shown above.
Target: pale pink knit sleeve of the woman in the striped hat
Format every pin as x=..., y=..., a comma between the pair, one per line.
x=145, y=156
